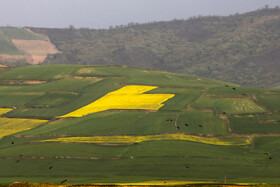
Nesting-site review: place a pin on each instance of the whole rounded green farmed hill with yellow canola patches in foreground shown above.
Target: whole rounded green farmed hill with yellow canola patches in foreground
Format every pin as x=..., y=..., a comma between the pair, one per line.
x=120, y=124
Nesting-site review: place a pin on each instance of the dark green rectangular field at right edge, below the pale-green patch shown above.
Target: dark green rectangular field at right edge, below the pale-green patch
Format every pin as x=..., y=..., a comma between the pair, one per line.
x=251, y=125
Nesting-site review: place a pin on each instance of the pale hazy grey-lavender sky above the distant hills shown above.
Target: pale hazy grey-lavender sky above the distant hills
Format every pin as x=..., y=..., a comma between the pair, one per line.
x=103, y=13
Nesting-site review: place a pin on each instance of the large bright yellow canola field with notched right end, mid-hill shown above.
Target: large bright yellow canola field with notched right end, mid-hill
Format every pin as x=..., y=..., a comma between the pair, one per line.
x=128, y=97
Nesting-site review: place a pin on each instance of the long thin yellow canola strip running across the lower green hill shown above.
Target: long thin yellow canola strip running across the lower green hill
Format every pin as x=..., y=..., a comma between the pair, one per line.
x=138, y=139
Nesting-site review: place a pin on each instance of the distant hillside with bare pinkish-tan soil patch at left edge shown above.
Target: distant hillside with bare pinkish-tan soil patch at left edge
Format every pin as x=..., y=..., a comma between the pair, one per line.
x=19, y=46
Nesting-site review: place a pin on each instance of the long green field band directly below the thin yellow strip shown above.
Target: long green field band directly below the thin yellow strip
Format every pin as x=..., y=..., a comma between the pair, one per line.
x=186, y=149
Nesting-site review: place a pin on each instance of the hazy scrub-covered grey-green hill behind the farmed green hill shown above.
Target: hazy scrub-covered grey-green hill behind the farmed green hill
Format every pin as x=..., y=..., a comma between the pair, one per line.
x=242, y=49
